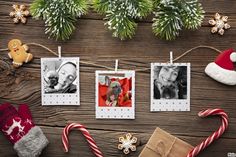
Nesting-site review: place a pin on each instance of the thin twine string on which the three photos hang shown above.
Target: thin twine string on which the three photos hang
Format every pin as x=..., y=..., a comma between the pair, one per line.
x=110, y=68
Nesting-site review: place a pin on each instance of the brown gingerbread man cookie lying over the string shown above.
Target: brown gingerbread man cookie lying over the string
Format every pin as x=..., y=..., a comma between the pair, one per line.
x=18, y=52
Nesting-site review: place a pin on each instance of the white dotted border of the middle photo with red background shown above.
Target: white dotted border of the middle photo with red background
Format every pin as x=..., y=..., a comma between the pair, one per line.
x=115, y=112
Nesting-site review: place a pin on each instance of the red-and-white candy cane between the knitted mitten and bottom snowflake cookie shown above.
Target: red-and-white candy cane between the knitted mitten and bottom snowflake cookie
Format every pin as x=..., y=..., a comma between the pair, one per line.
x=86, y=134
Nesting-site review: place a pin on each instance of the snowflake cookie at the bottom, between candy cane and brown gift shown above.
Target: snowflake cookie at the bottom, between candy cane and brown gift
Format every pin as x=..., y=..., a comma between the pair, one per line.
x=127, y=143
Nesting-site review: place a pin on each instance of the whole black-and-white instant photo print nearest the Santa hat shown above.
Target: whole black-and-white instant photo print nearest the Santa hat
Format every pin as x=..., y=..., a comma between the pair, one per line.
x=170, y=87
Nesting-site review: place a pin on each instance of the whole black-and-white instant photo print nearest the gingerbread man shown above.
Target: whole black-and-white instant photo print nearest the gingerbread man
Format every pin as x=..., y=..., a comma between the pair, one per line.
x=60, y=81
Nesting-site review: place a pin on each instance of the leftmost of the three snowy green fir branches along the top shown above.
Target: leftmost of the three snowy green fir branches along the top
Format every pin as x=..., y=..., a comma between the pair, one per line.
x=60, y=16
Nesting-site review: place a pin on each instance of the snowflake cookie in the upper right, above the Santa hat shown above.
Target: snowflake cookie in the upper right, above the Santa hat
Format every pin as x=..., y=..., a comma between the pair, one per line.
x=220, y=23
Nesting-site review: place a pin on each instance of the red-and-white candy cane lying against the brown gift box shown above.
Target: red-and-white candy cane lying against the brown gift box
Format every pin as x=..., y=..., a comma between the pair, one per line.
x=215, y=135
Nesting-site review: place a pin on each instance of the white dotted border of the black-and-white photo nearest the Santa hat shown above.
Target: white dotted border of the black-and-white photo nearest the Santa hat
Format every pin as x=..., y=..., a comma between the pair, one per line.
x=171, y=104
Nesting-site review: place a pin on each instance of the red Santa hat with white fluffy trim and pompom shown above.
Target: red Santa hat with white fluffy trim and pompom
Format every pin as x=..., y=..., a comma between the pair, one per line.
x=222, y=69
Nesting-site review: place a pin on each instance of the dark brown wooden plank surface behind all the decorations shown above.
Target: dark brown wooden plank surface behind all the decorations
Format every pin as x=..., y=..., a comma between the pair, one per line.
x=93, y=42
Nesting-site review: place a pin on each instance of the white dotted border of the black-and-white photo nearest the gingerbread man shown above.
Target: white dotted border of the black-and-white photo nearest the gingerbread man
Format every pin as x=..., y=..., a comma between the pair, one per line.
x=61, y=98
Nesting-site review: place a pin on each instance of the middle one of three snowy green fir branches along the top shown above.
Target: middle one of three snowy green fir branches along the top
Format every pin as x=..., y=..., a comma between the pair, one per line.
x=121, y=15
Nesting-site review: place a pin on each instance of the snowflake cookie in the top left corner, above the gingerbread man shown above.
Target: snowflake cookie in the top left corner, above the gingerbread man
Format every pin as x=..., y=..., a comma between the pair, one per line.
x=19, y=14
